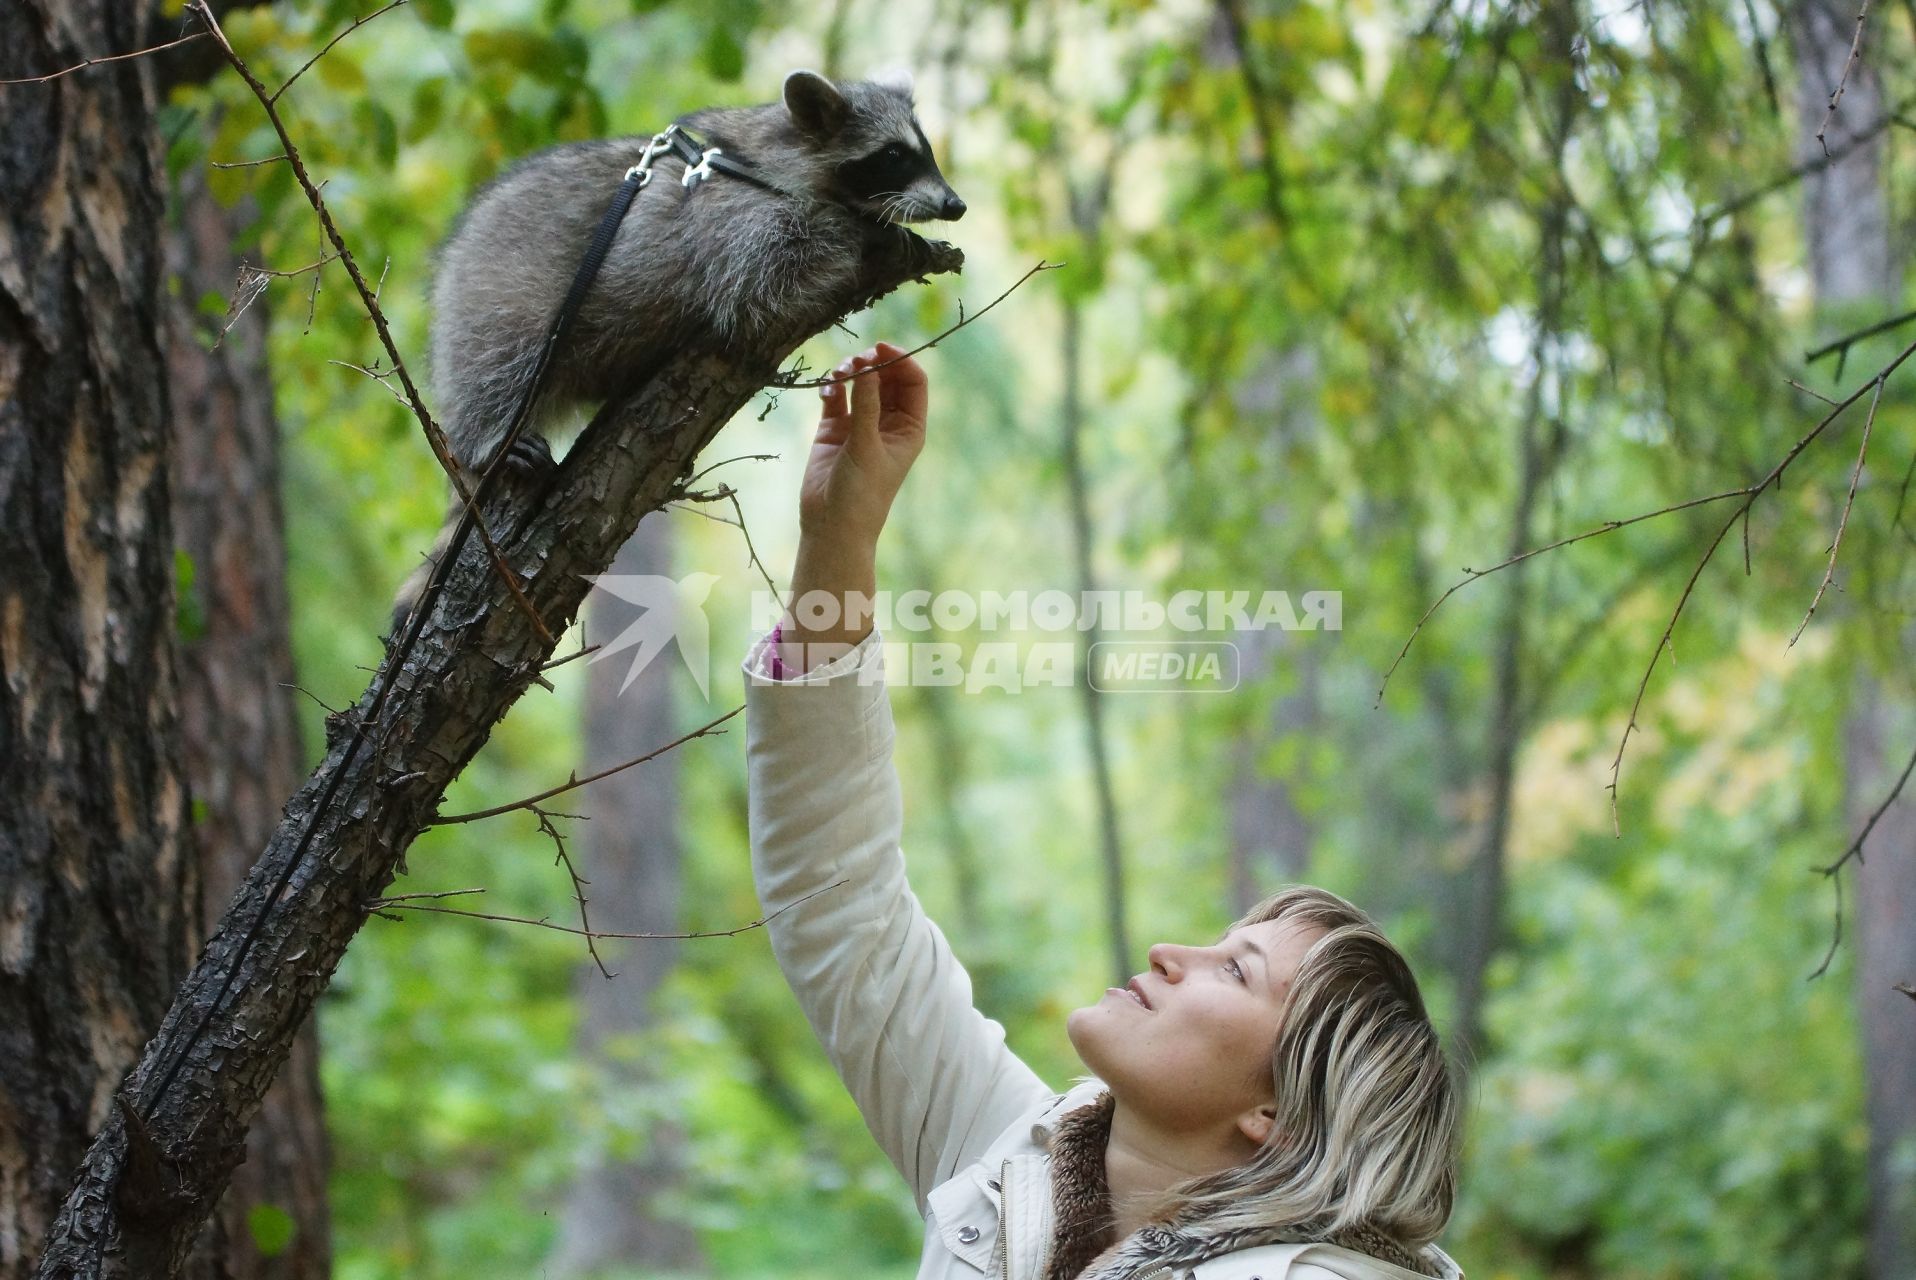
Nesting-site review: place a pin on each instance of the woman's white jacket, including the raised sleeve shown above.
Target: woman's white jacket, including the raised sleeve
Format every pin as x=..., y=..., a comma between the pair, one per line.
x=961, y=1116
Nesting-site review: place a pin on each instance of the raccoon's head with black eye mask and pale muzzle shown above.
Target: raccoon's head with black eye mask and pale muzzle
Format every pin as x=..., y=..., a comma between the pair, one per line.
x=873, y=156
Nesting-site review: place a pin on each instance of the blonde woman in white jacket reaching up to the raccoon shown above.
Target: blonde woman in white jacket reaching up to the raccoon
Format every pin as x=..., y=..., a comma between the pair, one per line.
x=1275, y=1105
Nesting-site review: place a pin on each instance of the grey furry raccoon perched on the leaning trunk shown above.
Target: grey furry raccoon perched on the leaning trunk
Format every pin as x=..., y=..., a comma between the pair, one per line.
x=706, y=267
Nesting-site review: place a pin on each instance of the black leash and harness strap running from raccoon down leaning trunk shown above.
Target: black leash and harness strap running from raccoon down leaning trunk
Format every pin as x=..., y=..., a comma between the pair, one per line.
x=700, y=164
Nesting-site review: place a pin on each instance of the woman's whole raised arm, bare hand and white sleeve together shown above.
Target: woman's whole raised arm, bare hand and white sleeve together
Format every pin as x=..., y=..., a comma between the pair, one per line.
x=878, y=982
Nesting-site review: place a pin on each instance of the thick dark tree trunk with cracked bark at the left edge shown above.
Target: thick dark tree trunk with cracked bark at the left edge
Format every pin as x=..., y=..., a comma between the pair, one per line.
x=99, y=888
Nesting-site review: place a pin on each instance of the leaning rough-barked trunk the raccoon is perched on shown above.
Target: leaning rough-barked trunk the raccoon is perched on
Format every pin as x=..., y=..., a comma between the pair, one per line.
x=148, y=1185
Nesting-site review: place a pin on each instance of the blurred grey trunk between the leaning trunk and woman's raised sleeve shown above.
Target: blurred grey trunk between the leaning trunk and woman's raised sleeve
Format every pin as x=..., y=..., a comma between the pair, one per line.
x=631, y=859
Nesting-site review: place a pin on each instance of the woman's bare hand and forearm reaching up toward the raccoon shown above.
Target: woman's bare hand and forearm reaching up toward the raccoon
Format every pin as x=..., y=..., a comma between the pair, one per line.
x=869, y=434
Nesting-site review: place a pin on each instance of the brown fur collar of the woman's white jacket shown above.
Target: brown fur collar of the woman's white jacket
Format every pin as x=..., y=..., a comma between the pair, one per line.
x=1085, y=1229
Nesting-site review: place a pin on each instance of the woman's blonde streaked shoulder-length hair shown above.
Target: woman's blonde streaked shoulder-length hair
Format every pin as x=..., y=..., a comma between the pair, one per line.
x=1367, y=1107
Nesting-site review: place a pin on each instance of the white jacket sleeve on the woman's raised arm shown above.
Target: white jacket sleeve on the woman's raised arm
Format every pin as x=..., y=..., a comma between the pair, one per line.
x=878, y=982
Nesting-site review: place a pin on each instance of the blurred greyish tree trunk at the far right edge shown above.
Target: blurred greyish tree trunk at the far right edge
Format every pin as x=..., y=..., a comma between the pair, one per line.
x=1854, y=267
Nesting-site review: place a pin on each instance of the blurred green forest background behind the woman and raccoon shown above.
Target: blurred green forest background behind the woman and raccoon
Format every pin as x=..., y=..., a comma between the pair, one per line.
x=1357, y=294
